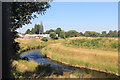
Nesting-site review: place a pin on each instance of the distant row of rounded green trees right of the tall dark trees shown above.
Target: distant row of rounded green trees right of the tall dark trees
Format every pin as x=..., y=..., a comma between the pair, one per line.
x=72, y=33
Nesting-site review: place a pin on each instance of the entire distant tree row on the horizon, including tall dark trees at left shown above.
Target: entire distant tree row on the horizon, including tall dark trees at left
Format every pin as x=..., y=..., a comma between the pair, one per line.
x=72, y=33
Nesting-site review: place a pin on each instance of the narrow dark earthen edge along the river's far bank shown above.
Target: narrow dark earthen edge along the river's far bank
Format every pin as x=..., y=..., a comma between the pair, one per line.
x=68, y=64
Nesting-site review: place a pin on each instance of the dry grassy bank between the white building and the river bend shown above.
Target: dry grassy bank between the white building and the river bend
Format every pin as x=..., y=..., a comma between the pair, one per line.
x=29, y=44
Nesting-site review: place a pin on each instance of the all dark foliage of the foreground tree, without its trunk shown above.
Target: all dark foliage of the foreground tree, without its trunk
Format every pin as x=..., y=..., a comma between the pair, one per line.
x=21, y=13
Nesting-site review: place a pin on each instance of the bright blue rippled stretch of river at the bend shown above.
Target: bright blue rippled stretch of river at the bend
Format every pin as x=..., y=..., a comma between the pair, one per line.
x=37, y=57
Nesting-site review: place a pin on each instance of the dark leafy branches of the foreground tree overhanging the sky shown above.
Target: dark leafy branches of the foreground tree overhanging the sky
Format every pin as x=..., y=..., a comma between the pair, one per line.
x=22, y=12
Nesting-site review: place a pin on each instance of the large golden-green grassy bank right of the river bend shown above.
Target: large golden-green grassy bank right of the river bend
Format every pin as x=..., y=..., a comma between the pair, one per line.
x=86, y=52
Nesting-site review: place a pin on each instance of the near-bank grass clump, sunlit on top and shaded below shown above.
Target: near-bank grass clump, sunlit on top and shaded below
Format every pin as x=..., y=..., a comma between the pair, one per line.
x=24, y=69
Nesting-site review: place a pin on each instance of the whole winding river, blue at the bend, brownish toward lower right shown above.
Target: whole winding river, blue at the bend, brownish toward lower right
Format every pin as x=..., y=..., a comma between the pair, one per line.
x=39, y=58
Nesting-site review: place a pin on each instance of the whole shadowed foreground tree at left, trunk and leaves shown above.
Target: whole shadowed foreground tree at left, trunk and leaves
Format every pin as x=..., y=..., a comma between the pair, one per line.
x=16, y=14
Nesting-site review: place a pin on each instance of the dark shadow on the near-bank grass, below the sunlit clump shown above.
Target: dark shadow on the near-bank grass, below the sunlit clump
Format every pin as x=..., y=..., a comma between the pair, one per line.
x=41, y=71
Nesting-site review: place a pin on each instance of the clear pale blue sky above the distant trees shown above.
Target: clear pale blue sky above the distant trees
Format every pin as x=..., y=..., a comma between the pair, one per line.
x=79, y=16
